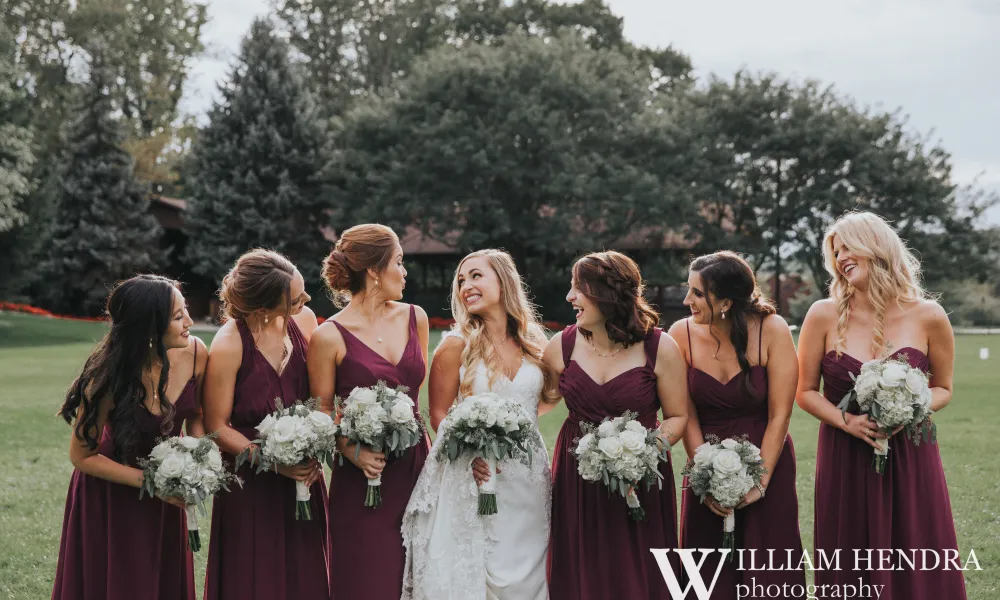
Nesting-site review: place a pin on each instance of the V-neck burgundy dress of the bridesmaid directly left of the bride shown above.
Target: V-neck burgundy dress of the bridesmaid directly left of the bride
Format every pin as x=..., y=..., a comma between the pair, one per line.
x=368, y=555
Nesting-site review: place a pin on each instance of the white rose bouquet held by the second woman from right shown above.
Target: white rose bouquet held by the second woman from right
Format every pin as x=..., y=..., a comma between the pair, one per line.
x=726, y=470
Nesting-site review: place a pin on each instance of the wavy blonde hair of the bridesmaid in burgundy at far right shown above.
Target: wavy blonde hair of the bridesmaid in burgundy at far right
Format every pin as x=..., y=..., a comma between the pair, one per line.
x=893, y=271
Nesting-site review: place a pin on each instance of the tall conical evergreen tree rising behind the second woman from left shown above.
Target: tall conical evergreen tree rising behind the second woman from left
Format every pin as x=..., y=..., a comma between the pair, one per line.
x=254, y=167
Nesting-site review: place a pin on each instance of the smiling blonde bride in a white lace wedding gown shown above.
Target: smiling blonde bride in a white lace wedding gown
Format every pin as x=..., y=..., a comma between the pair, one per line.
x=496, y=345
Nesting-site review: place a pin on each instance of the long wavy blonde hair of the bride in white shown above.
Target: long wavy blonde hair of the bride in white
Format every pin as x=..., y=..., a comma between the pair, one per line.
x=523, y=324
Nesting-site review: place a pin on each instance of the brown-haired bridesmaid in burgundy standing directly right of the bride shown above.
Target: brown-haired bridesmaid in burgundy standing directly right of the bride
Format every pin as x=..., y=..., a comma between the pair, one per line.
x=613, y=360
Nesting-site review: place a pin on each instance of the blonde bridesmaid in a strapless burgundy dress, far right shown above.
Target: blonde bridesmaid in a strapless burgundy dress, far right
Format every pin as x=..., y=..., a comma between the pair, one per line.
x=877, y=308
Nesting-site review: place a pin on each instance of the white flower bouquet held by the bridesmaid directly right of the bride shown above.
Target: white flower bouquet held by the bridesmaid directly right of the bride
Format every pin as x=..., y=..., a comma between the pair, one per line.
x=621, y=453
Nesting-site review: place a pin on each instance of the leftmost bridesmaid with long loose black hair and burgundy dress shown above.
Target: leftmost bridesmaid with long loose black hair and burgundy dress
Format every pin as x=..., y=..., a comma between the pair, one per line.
x=142, y=382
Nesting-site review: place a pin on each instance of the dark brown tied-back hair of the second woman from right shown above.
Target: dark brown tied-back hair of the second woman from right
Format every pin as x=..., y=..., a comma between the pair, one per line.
x=729, y=277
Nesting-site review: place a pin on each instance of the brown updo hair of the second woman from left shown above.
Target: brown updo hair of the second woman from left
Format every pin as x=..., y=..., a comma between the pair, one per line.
x=260, y=279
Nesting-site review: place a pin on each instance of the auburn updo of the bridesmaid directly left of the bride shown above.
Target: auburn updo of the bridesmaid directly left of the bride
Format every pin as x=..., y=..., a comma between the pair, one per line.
x=362, y=247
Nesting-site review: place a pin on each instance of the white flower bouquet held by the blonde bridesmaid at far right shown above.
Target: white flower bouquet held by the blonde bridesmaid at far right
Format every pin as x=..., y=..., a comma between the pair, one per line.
x=893, y=394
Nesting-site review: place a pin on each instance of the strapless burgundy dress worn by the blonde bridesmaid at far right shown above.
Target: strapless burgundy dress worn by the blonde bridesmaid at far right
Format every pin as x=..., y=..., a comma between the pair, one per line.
x=906, y=508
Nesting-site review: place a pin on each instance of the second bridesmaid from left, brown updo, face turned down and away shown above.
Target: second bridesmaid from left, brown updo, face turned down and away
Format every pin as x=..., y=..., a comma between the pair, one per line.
x=257, y=549
